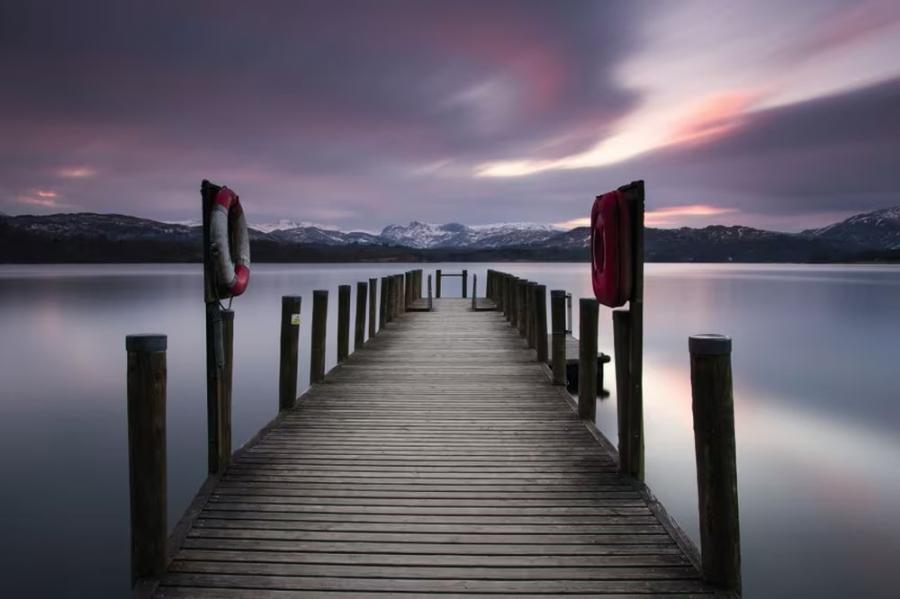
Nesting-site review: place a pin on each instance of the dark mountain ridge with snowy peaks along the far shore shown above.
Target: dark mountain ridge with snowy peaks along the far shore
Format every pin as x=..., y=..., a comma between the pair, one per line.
x=94, y=237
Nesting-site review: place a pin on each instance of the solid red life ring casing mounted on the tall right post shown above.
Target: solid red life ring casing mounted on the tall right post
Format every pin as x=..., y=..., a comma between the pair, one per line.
x=611, y=252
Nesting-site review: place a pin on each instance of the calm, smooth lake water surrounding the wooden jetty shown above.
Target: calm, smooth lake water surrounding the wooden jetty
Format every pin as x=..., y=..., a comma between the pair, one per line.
x=816, y=395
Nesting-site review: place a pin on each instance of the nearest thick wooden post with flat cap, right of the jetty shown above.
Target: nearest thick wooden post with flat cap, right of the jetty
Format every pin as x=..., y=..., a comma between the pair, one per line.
x=713, y=408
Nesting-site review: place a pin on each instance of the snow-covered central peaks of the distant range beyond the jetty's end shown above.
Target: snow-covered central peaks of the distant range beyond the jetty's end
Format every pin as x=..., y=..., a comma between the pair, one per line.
x=454, y=235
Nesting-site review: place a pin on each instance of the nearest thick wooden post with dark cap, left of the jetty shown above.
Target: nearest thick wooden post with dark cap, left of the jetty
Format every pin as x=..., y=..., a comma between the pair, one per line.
x=146, y=390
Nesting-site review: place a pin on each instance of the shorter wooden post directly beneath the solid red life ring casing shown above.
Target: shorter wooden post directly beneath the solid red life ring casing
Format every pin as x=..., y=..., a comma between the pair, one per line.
x=630, y=411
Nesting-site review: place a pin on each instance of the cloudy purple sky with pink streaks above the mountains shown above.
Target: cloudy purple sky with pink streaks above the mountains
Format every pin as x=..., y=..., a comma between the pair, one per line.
x=359, y=114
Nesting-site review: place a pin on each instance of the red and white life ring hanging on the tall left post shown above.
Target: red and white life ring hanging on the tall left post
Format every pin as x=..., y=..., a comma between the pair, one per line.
x=230, y=243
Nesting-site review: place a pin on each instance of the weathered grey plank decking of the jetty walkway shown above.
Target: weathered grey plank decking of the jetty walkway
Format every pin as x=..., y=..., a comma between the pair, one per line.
x=438, y=459
